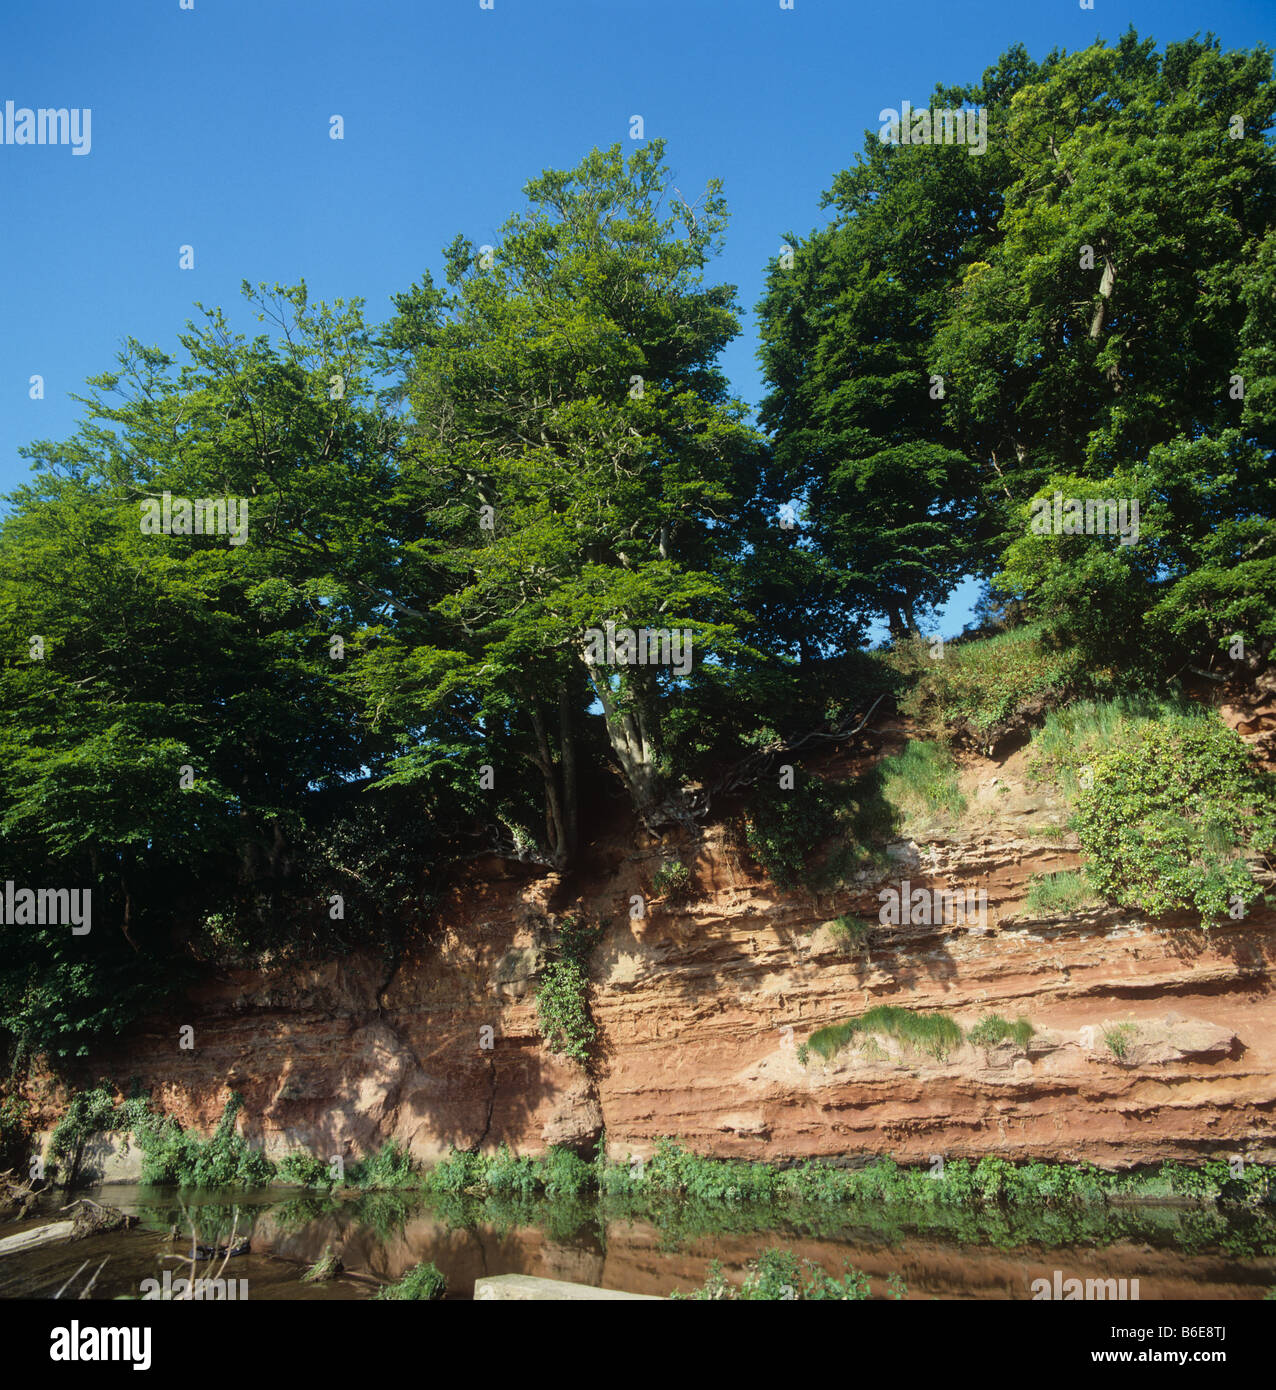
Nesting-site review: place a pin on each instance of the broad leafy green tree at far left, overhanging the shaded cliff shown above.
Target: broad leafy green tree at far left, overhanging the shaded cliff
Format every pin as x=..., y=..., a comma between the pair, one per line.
x=180, y=739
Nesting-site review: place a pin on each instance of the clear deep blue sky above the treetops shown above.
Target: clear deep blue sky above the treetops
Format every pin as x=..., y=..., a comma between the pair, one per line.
x=211, y=129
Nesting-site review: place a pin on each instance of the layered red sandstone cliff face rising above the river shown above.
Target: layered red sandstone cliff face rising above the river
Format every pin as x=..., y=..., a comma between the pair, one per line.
x=703, y=1008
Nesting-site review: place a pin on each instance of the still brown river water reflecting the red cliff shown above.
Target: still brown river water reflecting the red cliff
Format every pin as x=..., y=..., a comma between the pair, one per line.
x=1171, y=1252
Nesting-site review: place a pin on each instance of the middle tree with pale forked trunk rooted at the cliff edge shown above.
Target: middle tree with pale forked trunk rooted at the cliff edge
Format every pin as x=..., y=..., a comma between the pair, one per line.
x=564, y=390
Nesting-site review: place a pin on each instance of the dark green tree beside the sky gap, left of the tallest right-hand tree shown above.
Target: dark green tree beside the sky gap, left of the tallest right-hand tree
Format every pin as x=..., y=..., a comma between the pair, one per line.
x=856, y=408
